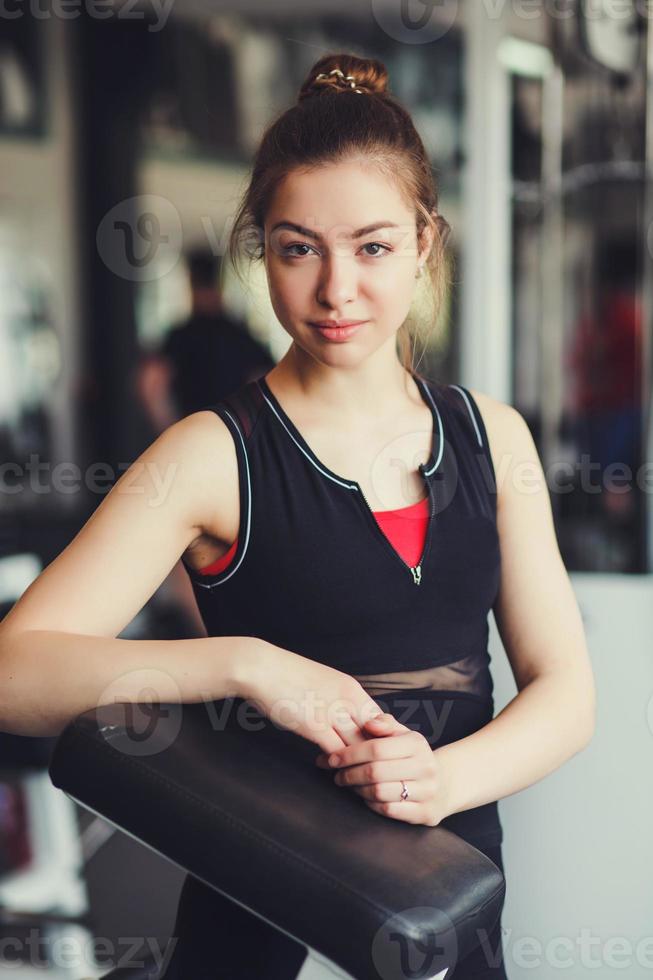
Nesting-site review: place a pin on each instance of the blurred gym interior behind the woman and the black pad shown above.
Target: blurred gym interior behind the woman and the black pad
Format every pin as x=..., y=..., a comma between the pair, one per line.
x=126, y=132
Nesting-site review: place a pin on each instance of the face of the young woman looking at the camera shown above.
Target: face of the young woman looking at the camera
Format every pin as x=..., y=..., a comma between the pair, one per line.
x=324, y=269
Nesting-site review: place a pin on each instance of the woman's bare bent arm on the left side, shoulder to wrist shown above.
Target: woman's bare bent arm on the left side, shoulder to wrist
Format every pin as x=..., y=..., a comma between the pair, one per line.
x=59, y=648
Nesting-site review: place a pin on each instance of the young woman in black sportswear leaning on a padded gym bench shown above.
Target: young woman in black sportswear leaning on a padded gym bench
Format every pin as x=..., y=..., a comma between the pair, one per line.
x=347, y=526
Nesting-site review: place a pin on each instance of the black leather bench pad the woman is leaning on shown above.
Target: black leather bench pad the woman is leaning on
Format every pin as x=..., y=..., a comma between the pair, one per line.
x=231, y=797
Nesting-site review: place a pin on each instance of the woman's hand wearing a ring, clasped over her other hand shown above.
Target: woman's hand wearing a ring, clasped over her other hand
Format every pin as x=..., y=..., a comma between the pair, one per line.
x=375, y=767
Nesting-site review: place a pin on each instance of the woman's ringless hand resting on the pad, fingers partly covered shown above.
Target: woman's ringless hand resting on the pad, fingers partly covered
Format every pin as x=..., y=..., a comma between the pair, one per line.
x=320, y=703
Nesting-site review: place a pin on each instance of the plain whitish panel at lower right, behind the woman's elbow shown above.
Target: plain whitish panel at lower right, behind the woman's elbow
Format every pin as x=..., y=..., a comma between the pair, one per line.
x=578, y=845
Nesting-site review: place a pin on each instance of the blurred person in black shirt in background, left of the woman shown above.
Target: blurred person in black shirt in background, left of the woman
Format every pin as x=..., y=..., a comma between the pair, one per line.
x=202, y=359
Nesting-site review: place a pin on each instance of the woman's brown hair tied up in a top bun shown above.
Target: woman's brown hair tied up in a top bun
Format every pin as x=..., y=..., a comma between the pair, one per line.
x=334, y=119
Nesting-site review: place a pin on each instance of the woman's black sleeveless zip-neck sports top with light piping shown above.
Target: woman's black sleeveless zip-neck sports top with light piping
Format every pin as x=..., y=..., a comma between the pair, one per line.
x=314, y=573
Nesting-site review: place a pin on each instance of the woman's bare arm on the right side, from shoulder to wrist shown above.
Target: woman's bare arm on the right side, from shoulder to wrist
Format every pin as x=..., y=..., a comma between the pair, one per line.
x=552, y=718
